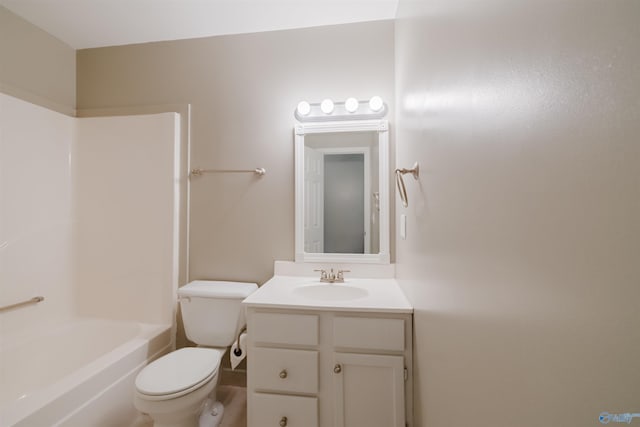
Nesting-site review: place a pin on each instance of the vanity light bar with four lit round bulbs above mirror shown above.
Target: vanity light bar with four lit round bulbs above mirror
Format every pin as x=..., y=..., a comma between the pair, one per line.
x=351, y=109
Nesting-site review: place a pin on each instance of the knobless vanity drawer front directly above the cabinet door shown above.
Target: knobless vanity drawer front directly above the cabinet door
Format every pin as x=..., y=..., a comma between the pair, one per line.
x=368, y=333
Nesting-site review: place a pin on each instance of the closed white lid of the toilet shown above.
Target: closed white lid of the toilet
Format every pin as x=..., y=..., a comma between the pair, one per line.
x=178, y=371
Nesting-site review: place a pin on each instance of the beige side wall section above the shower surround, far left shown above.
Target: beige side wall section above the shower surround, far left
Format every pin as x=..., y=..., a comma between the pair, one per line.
x=36, y=66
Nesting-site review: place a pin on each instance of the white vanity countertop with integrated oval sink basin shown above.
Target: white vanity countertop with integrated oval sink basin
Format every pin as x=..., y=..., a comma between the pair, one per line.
x=380, y=295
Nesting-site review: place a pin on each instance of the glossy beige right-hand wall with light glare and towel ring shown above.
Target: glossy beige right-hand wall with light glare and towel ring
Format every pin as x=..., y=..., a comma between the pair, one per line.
x=523, y=231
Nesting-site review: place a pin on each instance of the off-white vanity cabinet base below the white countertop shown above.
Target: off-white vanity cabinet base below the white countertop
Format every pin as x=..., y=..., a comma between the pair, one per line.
x=319, y=368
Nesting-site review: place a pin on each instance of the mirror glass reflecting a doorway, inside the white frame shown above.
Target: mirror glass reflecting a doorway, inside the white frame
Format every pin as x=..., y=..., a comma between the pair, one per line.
x=340, y=182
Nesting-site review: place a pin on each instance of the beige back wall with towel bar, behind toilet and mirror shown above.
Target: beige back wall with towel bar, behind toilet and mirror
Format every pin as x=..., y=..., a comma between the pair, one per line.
x=243, y=90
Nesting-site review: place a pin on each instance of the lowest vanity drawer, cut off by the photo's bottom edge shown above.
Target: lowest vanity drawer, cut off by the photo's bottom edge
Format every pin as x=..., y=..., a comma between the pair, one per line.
x=272, y=410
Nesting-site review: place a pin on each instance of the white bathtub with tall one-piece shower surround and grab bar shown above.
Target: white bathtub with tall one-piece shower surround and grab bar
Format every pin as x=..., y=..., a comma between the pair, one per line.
x=89, y=239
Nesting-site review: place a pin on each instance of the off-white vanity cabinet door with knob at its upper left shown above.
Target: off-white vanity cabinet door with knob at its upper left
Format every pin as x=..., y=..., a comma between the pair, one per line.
x=369, y=390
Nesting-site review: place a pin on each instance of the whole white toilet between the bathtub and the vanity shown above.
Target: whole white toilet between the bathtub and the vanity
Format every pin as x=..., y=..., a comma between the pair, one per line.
x=174, y=389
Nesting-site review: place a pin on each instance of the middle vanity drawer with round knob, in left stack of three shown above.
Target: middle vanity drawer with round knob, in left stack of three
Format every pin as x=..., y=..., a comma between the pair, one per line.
x=294, y=371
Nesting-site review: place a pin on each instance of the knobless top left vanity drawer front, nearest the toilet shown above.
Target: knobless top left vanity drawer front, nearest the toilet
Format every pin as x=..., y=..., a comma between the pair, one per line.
x=291, y=329
